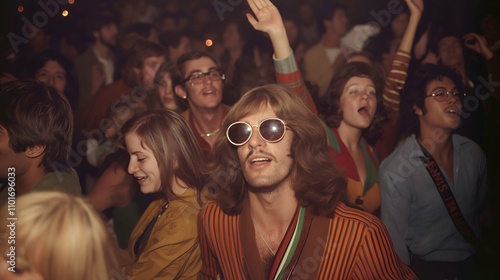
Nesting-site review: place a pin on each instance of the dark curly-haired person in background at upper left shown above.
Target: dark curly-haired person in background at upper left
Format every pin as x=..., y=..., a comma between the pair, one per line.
x=54, y=68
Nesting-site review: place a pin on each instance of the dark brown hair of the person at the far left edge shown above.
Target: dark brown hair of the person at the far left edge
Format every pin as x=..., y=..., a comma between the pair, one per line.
x=37, y=115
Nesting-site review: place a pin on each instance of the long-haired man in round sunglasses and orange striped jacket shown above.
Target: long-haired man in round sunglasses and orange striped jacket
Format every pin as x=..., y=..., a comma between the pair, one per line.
x=280, y=211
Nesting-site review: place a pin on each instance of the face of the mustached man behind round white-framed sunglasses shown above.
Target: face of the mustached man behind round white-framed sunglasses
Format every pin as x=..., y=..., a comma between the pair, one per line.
x=264, y=164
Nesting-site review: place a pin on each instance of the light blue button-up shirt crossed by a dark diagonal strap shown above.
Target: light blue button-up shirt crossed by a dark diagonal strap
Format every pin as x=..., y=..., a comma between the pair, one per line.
x=413, y=211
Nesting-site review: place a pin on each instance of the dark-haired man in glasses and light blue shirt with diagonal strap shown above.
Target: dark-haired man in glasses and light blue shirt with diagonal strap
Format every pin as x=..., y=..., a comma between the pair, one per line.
x=428, y=175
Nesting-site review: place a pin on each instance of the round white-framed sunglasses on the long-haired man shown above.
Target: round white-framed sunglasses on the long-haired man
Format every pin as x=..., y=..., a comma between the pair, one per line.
x=271, y=130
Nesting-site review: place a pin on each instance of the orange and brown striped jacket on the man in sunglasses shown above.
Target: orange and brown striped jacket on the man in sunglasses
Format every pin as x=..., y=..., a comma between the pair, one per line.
x=350, y=245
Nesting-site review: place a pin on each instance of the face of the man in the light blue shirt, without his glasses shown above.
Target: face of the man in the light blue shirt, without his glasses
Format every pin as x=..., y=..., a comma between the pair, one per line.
x=440, y=115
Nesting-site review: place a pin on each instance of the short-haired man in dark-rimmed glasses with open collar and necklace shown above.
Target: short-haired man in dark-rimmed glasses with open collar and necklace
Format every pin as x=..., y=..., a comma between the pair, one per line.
x=199, y=81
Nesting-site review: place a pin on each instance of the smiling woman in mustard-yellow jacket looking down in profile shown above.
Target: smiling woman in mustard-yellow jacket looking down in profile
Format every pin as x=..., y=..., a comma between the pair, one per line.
x=165, y=159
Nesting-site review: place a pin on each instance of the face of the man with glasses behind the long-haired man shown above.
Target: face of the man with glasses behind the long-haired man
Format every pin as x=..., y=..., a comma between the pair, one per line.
x=206, y=95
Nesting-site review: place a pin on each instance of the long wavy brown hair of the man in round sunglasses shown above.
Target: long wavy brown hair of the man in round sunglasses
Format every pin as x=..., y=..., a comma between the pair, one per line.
x=317, y=181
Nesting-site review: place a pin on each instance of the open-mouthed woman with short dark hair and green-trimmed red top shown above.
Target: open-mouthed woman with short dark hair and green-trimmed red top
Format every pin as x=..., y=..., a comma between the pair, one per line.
x=354, y=111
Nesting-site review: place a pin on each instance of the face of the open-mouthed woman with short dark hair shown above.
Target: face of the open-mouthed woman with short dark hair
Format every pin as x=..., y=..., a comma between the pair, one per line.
x=358, y=103
